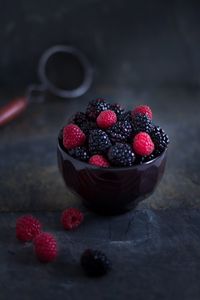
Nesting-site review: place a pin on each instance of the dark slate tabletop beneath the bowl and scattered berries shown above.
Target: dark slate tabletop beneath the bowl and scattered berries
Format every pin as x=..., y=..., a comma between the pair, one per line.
x=155, y=249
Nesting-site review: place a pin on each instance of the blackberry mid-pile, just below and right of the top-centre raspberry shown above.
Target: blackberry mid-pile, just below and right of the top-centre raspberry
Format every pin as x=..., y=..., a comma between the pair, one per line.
x=120, y=132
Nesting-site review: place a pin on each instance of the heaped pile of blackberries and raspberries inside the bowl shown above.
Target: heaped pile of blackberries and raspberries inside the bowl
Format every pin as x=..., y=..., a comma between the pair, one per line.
x=108, y=136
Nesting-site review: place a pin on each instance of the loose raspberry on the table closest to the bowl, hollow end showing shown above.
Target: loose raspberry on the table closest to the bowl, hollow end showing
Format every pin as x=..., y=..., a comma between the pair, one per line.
x=71, y=218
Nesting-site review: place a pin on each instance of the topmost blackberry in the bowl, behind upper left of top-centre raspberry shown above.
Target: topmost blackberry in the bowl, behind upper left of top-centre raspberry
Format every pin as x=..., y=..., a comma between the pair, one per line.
x=95, y=107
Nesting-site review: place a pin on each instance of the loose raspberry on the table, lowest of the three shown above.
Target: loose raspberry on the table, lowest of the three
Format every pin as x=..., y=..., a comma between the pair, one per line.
x=46, y=247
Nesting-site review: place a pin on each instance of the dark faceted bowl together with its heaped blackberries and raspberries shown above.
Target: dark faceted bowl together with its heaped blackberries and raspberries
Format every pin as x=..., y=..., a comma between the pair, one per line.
x=110, y=157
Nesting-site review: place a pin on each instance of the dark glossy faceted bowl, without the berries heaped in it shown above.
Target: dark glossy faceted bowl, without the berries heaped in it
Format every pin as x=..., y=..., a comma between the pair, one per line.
x=110, y=190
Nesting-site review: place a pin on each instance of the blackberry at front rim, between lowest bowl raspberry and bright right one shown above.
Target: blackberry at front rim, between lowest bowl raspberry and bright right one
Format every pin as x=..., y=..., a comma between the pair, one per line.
x=121, y=155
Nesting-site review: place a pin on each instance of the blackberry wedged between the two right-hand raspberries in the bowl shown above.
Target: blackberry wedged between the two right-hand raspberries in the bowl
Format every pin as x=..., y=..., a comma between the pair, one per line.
x=141, y=123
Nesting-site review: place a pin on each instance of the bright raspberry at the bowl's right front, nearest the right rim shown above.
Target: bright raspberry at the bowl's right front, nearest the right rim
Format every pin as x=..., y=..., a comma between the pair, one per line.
x=143, y=144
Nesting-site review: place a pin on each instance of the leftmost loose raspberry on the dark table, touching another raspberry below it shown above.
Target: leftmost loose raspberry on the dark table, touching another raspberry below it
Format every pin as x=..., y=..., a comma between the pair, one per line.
x=27, y=227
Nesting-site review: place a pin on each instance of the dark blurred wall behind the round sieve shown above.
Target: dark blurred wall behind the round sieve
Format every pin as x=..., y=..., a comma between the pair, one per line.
x=129, y=42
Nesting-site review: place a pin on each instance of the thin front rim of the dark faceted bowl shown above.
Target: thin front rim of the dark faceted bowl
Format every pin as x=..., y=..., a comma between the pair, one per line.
x=89, y=166
